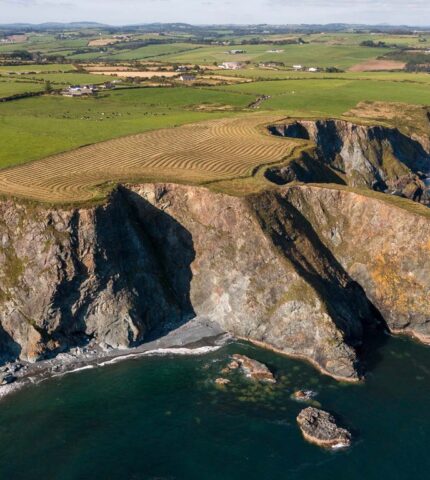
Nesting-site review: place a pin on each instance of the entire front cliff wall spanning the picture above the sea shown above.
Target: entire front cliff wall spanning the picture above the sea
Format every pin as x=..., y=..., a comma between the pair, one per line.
x=262, y=267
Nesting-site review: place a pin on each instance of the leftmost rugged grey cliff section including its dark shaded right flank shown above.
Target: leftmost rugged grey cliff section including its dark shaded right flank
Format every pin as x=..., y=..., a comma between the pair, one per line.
x=71, y=275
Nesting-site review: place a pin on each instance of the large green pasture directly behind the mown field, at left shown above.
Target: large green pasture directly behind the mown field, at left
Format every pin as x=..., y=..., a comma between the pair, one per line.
x=37, y=127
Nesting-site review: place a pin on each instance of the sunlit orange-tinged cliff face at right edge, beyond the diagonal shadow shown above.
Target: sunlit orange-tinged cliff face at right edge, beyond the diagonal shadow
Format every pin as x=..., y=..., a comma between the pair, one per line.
x=383, y=248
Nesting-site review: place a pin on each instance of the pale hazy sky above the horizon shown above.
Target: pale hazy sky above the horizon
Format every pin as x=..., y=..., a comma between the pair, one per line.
x=121, y=12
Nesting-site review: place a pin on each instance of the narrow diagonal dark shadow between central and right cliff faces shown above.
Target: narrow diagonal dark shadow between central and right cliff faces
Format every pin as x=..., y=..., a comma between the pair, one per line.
x=343, y=298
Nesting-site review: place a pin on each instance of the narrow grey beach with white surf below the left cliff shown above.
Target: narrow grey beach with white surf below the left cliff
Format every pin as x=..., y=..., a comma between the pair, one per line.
x=196, y=337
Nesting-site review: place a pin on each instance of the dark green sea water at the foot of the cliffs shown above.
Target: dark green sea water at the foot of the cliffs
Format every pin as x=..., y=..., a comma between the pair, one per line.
x=163, y=418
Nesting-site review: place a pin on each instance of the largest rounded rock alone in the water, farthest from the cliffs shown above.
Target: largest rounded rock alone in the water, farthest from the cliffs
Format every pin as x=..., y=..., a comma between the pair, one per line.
x=320, y=427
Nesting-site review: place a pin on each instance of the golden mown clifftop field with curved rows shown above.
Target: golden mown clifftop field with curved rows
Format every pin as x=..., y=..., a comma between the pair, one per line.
x=196, y=153
